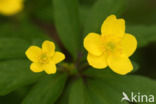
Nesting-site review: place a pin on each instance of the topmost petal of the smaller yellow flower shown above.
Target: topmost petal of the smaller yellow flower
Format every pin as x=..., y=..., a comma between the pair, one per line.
x=48, y=47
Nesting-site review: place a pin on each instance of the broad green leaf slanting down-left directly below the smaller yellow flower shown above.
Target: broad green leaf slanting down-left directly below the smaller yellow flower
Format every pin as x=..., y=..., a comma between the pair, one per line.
x=47, y=90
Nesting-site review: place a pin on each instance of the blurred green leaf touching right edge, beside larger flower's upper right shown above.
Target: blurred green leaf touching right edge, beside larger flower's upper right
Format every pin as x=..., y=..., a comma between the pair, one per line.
x=143, y=34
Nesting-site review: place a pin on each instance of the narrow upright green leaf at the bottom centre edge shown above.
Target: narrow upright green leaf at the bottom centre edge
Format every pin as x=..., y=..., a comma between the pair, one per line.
x=76, y=94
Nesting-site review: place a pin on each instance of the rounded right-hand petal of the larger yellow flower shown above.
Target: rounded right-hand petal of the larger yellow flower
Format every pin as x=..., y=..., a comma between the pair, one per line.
x=128, y=44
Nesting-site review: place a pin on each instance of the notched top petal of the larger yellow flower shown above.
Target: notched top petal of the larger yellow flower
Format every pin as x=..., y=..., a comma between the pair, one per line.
x=113, y=26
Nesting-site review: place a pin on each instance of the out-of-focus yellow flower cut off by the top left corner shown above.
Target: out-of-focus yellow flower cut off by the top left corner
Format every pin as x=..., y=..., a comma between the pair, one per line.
x=10, y=7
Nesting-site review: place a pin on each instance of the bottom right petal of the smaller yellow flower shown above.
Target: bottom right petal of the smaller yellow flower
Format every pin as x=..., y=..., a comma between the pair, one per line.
x=50, y=68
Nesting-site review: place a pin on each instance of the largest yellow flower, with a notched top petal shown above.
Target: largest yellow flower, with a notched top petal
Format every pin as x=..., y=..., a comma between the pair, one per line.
x=112, y=48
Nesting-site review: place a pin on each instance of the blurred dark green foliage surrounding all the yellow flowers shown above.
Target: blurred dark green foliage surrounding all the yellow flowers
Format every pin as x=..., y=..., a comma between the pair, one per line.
x=67, y=22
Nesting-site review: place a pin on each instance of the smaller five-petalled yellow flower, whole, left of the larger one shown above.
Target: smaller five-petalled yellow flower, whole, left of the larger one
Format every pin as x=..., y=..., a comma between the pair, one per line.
x=44, y=59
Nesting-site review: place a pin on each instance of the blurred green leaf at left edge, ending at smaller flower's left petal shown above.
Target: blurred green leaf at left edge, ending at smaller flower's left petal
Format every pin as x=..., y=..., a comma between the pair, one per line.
x=12, y=48
